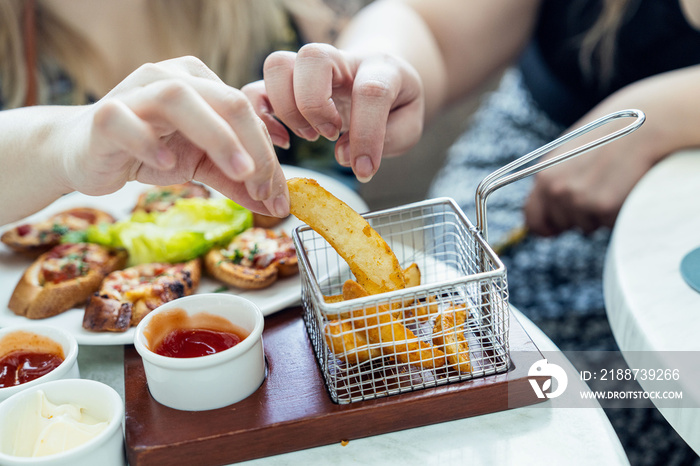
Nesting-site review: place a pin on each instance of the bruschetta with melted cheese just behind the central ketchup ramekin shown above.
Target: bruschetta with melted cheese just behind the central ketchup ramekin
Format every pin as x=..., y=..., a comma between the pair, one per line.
x=126, y=296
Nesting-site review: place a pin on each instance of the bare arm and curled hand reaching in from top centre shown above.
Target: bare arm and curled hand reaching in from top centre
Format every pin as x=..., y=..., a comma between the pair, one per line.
x=397, y=62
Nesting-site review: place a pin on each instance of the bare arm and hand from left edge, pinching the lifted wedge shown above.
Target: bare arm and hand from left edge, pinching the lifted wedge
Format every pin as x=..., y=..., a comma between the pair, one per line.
x=166, y=123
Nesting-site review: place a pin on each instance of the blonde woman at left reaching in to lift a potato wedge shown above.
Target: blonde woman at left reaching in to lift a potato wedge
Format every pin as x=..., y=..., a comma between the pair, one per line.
x=103, y=117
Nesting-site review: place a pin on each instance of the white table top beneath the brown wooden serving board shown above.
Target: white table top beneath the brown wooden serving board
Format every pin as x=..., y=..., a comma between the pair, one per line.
x=550, y=433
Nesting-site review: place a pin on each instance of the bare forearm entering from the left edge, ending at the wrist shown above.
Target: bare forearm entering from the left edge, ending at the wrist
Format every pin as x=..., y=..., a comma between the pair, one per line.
x=32, y=174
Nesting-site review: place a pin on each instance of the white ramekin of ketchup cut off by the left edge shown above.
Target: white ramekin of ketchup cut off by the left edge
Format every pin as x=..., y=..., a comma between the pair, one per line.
x=68, y=369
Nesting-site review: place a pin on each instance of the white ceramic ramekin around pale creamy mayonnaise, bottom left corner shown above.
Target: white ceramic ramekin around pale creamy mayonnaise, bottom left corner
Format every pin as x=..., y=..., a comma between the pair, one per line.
x=96, y=399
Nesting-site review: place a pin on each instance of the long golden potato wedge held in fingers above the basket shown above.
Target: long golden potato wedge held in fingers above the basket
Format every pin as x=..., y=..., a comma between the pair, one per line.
x=370, y=258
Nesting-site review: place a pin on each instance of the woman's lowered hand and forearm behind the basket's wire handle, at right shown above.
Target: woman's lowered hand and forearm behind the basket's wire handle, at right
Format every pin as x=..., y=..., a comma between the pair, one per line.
x=587, y=192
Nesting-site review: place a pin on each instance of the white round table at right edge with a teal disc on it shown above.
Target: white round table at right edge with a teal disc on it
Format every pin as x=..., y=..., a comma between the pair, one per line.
x=654, y=314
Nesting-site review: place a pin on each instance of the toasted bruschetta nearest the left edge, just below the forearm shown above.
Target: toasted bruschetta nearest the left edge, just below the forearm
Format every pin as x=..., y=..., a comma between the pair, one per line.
x=41, y=236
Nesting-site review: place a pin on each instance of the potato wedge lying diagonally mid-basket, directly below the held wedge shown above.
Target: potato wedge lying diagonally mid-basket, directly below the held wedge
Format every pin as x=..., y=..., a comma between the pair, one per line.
x=382, y=328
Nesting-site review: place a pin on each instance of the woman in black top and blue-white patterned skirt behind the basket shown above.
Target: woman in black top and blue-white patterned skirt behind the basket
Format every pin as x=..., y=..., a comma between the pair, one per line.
x=567, y=62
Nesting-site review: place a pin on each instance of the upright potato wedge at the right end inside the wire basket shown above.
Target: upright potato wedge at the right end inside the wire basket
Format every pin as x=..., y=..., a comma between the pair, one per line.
x=448, y=335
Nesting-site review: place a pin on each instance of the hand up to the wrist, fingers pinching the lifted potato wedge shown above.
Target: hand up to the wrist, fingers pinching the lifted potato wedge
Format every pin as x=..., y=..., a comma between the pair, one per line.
x=172, y=122
